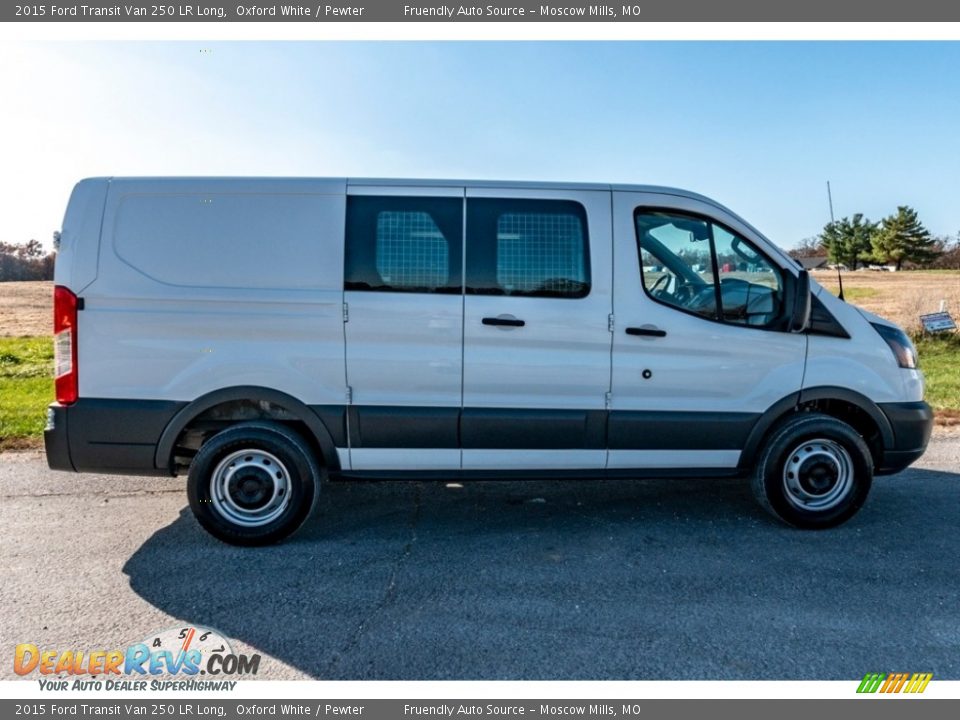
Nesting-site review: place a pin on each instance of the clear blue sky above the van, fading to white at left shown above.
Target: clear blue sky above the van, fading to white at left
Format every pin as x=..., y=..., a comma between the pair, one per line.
x=759, y=126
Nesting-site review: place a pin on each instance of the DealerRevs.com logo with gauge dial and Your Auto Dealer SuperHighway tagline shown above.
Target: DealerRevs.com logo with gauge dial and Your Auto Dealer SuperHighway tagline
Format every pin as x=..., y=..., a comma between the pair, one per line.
x=184, y=658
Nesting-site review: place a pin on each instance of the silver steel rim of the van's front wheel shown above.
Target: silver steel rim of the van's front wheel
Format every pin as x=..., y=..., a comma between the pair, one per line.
x=817, y=475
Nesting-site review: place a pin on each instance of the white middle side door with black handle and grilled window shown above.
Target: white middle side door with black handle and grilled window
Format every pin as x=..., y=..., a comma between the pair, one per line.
x=536, y=343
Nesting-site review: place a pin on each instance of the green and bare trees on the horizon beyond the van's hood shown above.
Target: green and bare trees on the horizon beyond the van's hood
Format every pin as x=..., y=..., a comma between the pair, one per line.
x=899, y=239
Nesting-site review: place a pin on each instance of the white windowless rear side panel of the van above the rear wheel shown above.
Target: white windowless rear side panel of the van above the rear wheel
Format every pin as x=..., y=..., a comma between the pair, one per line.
x=152, y=329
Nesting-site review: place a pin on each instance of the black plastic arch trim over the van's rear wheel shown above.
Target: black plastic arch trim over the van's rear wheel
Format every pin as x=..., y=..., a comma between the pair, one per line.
x=319, y=430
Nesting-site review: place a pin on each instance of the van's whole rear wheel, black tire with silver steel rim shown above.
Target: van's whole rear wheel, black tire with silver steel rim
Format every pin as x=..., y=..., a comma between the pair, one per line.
x=253, y=483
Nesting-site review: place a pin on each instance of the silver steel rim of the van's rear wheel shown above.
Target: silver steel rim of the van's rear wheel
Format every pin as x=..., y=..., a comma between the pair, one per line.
x=250, y=488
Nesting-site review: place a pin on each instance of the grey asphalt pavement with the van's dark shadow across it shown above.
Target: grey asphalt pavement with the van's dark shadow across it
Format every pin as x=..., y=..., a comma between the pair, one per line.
x=671, y=579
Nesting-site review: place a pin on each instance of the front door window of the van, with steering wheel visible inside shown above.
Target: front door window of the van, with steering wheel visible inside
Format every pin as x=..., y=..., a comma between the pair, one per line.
x=703, y=268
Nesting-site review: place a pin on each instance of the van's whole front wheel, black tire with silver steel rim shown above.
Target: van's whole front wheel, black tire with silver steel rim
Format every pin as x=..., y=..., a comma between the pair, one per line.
x=813, y=472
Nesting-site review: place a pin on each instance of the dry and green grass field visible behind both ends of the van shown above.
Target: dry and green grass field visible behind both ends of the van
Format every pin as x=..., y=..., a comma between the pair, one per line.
x=26, y=351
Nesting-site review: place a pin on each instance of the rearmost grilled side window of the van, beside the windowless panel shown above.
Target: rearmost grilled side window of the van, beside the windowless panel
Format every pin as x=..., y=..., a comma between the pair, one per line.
x=404, y=244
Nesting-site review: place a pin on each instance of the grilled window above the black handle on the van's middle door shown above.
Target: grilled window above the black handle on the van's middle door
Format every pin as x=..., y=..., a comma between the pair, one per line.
x=534, y=248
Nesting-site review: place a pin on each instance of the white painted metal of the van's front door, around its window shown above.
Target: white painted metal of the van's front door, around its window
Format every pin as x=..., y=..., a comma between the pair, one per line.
x=700, y=365
